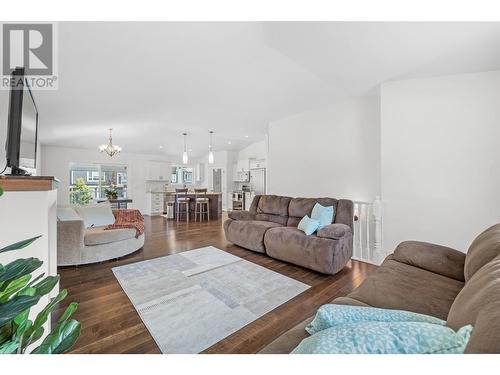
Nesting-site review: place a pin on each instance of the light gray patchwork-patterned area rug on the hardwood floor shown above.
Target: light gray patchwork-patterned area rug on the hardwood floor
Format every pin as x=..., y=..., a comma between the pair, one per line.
x=192, y=300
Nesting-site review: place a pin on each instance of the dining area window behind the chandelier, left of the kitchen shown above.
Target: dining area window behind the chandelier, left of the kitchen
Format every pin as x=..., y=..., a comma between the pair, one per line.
x=89, y=182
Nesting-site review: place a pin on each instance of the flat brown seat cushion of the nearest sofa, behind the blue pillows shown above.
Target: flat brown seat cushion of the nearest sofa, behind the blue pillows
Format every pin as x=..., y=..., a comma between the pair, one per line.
x=400, y=286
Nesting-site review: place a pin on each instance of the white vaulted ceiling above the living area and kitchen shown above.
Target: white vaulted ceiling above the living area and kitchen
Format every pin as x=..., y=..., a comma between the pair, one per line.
x=153, y=81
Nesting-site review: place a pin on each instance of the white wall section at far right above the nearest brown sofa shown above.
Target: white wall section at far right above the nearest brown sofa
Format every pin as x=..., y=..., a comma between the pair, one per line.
x=440, y=158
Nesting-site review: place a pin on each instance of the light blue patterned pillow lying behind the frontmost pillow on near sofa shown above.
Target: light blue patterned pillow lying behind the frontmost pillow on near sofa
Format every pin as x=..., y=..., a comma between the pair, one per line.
x=331, y=315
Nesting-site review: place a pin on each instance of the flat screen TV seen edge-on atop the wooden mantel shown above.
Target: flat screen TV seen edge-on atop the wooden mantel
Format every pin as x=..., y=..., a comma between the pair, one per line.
x=22, y=126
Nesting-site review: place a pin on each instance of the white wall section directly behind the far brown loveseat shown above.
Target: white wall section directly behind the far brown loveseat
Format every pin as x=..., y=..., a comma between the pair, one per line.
x=333, y=152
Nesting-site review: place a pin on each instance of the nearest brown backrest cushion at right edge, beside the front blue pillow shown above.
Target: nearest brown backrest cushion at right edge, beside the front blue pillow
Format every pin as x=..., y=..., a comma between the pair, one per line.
x=479, y=304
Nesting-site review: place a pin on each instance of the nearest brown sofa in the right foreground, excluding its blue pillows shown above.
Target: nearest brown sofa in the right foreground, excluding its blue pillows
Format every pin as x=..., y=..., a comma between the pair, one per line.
x=434, y=280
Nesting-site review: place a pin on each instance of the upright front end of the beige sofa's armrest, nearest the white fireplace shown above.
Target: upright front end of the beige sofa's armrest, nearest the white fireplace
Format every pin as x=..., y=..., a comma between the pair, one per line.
x=70, y=240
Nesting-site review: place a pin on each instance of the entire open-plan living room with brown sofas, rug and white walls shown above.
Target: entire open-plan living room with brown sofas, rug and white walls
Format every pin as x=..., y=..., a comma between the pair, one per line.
x=250, y=187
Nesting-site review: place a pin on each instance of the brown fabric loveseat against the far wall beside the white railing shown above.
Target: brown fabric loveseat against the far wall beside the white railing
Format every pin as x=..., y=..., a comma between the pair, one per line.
x=270, y=227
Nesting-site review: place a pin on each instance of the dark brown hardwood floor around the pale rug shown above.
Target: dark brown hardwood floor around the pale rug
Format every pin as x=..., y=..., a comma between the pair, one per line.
x=110, y=323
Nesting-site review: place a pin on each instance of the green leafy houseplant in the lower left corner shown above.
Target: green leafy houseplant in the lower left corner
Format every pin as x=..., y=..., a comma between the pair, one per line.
x=19, y=291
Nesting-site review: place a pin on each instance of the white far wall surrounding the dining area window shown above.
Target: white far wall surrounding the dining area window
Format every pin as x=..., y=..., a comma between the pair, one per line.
x=56, y=162
